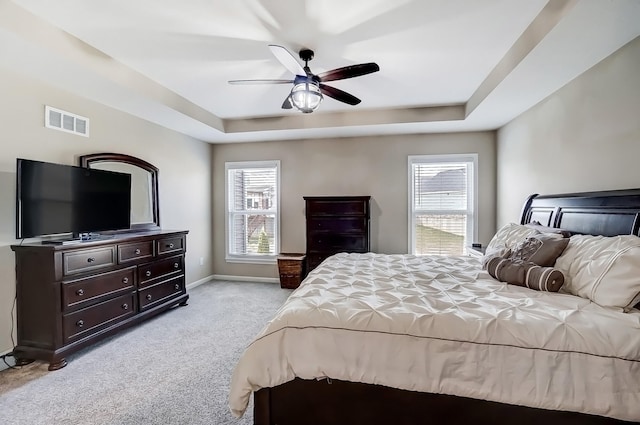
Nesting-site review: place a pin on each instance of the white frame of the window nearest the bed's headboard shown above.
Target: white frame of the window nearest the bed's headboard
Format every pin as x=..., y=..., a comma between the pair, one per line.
x=472, y=201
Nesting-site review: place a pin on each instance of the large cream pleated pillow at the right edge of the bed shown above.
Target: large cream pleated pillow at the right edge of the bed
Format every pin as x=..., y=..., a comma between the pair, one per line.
x=605, y=270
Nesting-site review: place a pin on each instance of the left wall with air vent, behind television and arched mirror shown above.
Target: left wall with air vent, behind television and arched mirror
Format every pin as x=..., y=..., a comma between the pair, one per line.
x=184, y=177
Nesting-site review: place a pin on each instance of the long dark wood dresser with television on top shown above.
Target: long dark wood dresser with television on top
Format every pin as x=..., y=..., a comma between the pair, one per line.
x=71, y=296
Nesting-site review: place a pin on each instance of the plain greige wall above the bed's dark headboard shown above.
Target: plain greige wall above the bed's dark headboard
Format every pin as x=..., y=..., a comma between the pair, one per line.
x=584, y=137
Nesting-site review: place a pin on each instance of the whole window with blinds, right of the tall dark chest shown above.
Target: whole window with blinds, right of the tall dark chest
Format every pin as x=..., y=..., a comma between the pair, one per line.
x=442, y=203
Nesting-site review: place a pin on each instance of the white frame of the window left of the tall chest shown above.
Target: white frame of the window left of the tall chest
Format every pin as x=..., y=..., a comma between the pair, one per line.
x=229, y=214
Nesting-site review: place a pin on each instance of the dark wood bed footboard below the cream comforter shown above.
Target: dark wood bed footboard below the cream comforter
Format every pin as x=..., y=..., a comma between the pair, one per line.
x=323, y=402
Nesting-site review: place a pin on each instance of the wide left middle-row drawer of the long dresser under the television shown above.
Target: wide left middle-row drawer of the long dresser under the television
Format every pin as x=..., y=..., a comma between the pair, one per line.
x=82, y=292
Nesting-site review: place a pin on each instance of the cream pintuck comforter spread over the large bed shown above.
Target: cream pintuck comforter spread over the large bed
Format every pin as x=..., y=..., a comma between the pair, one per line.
x=442, y=325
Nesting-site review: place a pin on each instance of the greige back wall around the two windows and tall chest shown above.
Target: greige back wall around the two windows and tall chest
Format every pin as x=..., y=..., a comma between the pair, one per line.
x=375, y=166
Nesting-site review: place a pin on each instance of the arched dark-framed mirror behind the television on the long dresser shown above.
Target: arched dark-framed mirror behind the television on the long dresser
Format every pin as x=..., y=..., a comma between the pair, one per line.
x=145, y=212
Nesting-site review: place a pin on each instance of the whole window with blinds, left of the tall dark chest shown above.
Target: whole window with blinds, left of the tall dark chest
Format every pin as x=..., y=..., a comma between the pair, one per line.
x=253, y=219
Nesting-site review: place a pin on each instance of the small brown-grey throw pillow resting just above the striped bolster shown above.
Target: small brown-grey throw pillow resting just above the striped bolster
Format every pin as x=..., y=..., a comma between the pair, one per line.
x=542, y=249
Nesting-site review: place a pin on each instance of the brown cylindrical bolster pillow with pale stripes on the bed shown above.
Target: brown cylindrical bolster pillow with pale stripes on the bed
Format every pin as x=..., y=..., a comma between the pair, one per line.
x=526, y=274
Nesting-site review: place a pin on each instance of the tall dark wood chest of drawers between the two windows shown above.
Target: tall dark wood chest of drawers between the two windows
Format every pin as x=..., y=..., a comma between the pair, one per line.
x=336, y=224
